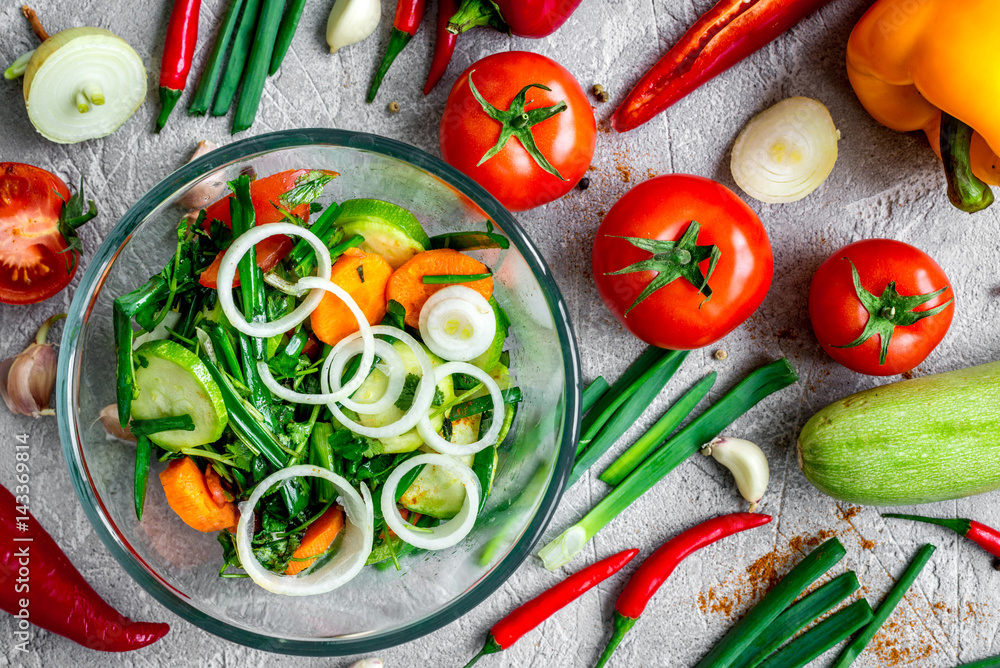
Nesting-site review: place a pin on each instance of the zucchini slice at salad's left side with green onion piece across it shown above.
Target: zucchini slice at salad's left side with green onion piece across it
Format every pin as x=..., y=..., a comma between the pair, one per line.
x=171, y=380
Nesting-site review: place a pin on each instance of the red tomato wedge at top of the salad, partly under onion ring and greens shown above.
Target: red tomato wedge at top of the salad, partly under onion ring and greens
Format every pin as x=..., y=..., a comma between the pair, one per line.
x=264, y=193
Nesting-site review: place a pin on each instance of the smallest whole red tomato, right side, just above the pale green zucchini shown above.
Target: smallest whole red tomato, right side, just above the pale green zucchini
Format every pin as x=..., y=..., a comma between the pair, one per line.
x=839, y=317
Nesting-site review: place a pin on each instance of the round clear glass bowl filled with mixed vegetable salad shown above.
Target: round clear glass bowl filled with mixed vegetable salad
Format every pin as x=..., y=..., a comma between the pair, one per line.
x=353, y=396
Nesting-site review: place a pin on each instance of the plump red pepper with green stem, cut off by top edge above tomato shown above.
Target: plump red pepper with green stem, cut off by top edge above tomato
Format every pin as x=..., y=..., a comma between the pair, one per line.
x=525, y=18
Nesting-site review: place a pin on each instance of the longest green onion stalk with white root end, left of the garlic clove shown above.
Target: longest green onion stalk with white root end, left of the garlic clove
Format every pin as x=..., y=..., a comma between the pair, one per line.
x=752, y=390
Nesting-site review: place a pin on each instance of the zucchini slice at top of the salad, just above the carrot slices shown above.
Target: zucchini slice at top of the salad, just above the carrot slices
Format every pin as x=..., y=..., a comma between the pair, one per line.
x=389, y=230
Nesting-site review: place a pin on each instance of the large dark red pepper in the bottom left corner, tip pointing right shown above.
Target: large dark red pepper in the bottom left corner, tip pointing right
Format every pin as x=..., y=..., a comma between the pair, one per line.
x=38, y=584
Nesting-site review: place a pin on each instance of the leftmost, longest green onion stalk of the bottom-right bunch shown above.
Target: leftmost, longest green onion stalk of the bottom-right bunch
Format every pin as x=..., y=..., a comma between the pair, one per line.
x=742, y=635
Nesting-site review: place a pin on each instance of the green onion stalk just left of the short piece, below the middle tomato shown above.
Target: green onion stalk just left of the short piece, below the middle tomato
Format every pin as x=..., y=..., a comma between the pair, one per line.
x=633, y=405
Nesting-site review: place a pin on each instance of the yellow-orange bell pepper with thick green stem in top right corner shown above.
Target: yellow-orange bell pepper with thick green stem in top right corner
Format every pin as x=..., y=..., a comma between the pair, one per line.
x=929, y=65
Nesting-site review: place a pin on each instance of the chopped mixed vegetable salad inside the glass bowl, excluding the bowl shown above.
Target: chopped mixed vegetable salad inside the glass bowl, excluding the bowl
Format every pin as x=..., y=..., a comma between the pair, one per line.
x=326, y=396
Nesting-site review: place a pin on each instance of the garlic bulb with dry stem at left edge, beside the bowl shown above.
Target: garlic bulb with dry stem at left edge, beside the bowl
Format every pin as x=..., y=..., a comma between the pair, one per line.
x=27, y=379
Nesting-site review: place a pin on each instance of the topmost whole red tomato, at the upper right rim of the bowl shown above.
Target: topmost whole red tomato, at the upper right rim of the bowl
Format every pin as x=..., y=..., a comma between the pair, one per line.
x=513, y=176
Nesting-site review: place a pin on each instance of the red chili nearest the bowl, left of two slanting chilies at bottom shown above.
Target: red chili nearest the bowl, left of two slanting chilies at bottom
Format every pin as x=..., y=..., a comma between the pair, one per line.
x=509, y=630
